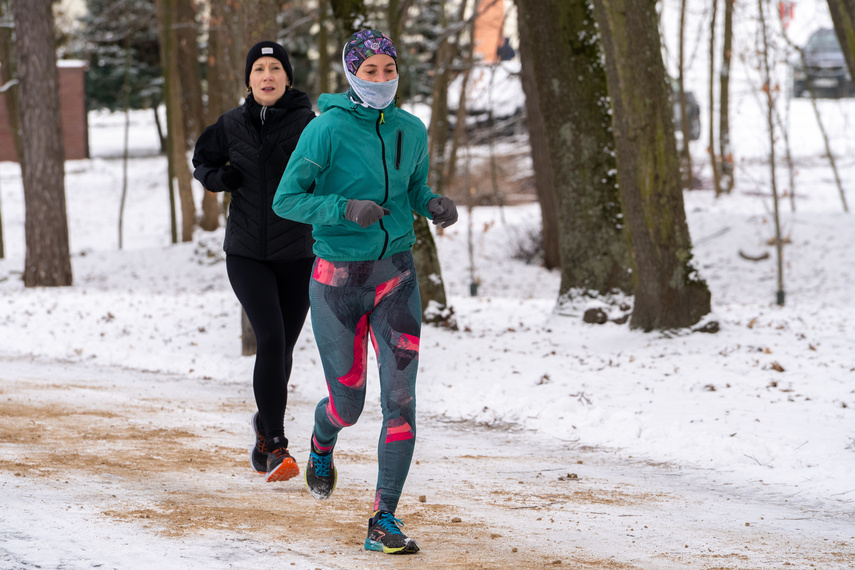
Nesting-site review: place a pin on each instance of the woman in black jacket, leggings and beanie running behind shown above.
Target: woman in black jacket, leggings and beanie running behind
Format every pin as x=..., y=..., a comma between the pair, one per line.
x=268, y=259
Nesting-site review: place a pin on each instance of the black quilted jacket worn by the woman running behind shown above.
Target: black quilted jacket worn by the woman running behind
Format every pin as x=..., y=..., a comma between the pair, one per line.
x=257, y=141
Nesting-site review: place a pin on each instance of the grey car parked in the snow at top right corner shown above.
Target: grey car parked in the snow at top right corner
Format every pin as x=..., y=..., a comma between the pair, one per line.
x=826, y=69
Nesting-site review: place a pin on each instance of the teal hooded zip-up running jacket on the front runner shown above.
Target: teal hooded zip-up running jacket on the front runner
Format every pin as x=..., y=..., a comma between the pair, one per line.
x=355, y=152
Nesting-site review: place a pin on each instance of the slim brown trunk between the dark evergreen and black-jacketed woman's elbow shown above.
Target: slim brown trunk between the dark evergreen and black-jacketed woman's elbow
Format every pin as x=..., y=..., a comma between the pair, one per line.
x=175, y=136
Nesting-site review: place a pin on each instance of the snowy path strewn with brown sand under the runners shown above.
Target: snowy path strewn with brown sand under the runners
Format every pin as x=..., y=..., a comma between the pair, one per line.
x=114, y=468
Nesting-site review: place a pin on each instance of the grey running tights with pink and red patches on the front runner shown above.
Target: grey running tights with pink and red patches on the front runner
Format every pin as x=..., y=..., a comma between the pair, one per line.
x=352, y=301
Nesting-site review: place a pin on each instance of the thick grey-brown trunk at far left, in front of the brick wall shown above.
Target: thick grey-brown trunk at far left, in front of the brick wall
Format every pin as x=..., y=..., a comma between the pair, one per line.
x=47, y=259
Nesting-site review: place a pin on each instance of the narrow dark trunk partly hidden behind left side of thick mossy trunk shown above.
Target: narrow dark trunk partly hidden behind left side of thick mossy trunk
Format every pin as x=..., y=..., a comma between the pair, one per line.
x=543, y=177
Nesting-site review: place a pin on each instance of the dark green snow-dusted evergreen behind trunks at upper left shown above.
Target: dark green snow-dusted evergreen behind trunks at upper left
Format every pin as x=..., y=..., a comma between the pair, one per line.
x=111, y=29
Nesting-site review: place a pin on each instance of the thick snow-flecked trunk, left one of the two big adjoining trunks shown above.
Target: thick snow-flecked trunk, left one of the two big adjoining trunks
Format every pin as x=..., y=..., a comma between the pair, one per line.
x=571, y=84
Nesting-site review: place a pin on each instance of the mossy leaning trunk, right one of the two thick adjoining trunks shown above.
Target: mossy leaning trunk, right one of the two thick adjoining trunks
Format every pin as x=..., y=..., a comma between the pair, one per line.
x=668, y=291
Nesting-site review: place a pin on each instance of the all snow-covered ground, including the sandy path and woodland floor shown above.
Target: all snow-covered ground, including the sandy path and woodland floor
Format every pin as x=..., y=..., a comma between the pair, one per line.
x=124, y=399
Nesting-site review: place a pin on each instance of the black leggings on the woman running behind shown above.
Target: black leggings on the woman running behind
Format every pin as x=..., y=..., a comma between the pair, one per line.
x=275, y=296
